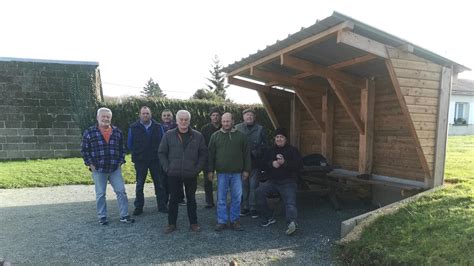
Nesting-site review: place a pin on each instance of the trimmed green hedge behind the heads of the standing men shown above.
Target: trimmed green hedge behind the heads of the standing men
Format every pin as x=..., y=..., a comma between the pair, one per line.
x=127, y=111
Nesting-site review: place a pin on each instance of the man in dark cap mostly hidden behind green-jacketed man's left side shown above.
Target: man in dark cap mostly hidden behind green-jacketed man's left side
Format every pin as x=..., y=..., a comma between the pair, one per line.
x=207, y=132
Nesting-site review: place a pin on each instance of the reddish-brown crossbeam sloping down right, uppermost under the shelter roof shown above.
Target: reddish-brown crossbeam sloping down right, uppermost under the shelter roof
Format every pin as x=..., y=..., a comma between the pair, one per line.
x=321, y=71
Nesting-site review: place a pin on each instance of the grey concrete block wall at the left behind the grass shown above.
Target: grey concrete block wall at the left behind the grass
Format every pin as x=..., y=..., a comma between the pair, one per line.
x=38, y=109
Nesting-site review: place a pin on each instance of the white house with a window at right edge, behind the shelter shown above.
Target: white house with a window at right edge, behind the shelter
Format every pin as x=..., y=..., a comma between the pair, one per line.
x=461, y=108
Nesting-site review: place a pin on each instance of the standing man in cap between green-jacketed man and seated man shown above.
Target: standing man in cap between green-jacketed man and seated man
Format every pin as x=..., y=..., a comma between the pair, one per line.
x=257, y=141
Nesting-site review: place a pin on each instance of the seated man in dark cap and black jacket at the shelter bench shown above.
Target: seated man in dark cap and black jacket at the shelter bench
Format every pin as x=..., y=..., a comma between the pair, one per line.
x=281, y=163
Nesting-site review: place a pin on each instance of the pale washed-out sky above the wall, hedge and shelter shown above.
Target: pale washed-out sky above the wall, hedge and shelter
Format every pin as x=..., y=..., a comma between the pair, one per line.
x=174, y=42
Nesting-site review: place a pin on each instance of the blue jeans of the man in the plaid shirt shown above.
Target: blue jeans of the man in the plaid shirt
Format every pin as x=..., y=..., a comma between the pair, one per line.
x=116, y=180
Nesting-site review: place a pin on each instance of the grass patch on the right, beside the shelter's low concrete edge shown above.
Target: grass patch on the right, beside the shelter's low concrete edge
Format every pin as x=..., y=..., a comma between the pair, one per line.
x=437, y=229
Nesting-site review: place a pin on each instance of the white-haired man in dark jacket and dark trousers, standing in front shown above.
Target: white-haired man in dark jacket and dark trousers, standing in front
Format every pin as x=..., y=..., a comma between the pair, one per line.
x=182, y=154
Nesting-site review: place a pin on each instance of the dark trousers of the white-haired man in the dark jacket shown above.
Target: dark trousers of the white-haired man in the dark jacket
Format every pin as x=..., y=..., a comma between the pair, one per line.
x=190, y=186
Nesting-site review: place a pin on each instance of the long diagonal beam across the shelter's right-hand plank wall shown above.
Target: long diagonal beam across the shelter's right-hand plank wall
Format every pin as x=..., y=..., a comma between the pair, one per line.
x=406, y=113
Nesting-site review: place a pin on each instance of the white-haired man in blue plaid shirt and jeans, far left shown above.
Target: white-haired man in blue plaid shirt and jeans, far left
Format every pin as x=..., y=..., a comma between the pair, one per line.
x=103, y=152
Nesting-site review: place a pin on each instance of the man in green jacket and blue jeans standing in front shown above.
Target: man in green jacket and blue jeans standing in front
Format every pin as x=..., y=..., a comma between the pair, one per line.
x=229, y=156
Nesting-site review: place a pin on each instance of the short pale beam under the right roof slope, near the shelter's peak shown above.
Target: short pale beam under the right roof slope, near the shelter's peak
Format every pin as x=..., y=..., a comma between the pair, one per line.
x=362, y=43
